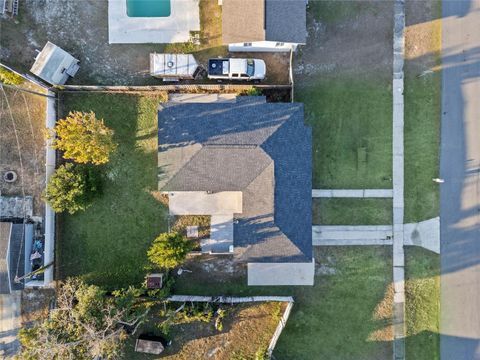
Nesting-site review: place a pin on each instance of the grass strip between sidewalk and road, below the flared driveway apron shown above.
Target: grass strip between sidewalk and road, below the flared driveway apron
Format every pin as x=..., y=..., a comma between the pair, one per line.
x=422, y=304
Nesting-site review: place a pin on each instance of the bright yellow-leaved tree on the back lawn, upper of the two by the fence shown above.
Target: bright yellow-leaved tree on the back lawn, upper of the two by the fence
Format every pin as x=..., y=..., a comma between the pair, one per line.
x=83, y=138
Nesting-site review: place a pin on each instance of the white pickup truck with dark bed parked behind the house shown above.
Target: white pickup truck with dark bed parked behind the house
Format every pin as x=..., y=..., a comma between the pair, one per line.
x=236, y=69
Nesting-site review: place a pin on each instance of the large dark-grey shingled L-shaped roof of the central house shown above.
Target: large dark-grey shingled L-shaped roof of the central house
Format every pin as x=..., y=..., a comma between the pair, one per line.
x=262, y=149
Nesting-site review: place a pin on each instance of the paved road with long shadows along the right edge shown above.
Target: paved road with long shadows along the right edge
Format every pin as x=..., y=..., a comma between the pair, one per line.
x=460, y=194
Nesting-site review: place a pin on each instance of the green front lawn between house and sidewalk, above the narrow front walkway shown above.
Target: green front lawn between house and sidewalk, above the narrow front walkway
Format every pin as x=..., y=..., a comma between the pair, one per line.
x=352, y=132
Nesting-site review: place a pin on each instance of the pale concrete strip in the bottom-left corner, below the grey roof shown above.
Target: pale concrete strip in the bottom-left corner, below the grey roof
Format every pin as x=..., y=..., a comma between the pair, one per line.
x=10, y=321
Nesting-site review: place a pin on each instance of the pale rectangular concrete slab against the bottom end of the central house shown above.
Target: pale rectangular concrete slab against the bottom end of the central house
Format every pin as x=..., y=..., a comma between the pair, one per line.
x=266, y=274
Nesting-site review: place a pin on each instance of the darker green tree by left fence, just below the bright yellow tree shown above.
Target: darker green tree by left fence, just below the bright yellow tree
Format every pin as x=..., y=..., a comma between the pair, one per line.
x=71, y=188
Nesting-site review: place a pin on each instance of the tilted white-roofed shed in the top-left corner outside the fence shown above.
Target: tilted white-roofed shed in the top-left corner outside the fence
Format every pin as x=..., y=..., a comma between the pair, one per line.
x=54, y=65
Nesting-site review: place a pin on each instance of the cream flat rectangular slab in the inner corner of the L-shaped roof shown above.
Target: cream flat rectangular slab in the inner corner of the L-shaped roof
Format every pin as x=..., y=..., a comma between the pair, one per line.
x=203, y=203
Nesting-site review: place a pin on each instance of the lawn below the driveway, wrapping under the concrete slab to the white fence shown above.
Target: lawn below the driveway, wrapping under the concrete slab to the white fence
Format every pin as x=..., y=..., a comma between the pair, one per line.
x=345, y=315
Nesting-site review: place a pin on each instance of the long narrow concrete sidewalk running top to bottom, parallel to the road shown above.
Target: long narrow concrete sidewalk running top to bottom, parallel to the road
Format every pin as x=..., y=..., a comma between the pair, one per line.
x=398, y=182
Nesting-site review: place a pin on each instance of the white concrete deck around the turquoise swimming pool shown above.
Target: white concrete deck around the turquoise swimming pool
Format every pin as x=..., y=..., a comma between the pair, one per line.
x=175, y=28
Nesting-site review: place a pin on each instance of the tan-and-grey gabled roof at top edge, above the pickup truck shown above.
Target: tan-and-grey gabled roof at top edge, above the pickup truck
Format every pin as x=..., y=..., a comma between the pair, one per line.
x=259, y=20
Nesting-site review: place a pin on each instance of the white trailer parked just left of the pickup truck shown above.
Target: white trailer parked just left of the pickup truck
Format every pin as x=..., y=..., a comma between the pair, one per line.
x=172, y=67
